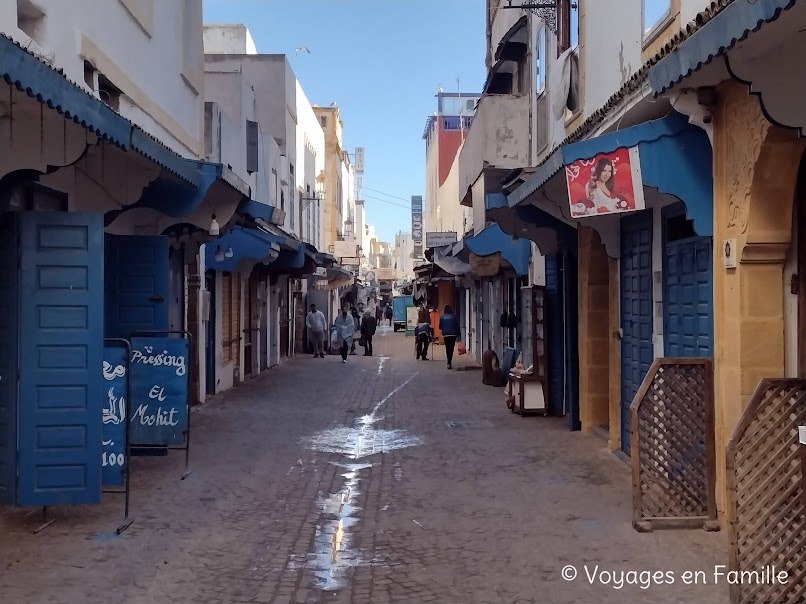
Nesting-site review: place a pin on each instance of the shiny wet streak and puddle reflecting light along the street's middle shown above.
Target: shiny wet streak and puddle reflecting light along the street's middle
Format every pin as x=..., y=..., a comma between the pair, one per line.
x=333, y=554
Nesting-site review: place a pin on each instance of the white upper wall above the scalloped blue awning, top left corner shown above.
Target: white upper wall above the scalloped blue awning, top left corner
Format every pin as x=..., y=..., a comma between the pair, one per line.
x=153, y=54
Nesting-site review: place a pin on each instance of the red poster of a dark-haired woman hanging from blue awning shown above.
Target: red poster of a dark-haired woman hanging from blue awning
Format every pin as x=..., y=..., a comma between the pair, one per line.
x=605, y=184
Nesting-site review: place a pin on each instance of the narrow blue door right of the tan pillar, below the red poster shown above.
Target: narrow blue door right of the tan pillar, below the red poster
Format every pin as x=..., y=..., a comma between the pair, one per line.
x=637, y=351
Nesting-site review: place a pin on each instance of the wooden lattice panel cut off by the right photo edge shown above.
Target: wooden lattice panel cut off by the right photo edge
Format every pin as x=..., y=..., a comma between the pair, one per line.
x=767, y=527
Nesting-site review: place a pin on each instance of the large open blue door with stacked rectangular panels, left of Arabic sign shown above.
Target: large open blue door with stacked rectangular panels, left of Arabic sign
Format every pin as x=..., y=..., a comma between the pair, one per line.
x=60, y=386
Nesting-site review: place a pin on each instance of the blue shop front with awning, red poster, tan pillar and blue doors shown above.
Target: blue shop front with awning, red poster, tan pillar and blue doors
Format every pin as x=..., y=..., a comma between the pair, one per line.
x=637, y=203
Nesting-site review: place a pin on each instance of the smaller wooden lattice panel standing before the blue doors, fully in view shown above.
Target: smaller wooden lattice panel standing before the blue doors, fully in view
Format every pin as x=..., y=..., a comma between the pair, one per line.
x=672, y=444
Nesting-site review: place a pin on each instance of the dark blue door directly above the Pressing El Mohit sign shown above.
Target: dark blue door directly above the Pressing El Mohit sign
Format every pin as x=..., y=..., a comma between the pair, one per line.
x=137, y=285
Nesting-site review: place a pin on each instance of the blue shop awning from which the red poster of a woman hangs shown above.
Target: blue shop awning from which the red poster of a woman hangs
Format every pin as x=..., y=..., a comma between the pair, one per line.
x=675, y=159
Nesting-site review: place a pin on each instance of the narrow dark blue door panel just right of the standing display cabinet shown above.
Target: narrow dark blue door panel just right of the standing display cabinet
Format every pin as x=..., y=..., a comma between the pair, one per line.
x=555, y=336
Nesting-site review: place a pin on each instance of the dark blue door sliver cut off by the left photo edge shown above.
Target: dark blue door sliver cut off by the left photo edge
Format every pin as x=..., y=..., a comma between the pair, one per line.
x=9, y=343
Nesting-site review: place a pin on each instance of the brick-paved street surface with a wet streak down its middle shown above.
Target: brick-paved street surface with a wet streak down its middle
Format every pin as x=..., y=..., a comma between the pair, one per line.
x=383, y=480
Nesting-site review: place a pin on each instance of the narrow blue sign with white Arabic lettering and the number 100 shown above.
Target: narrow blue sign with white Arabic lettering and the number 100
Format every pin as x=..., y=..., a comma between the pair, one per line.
x=113, y=455
